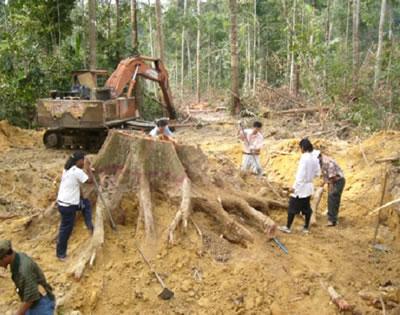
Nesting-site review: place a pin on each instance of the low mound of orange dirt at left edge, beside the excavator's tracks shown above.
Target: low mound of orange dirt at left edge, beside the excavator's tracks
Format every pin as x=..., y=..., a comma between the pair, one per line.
x=11, y=136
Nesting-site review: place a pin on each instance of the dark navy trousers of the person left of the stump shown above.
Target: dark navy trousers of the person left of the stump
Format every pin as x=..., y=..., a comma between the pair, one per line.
x=67, y=224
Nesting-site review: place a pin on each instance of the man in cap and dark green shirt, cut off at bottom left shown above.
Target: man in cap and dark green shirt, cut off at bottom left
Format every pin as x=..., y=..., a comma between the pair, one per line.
x=27, y=277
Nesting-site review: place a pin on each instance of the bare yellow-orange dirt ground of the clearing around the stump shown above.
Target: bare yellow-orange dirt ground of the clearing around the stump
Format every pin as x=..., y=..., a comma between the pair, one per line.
x=211, y=275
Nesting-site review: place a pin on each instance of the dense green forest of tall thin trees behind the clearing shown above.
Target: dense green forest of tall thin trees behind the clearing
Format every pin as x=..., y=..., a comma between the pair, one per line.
x=339, y=53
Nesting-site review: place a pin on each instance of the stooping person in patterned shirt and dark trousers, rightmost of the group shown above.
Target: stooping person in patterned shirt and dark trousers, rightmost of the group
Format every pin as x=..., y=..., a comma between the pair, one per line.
x=332, y=175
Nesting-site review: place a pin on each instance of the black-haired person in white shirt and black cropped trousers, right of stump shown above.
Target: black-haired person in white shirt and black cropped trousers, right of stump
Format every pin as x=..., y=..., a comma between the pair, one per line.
x=303, y=187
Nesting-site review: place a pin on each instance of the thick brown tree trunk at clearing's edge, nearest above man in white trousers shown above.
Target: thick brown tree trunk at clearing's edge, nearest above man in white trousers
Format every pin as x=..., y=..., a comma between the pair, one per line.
x=234, y=59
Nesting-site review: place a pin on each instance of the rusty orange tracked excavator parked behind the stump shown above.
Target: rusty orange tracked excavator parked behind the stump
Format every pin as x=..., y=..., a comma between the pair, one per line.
x=81, y=117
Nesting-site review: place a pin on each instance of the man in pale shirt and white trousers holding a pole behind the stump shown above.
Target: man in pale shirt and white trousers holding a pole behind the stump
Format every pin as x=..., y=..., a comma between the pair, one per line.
x=253, y=141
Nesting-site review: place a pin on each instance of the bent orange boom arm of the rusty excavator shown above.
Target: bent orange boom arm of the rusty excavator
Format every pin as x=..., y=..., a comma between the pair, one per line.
x=127, y=72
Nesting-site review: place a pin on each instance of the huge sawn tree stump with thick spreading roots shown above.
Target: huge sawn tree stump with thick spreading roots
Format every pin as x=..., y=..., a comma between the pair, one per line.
x=137, y=164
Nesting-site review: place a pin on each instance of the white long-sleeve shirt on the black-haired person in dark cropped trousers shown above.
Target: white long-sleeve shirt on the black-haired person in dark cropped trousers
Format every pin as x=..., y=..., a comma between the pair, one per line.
x=307, y=170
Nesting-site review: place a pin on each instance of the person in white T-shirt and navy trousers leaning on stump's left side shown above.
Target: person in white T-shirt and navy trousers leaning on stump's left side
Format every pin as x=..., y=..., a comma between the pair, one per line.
x=76, y=172
